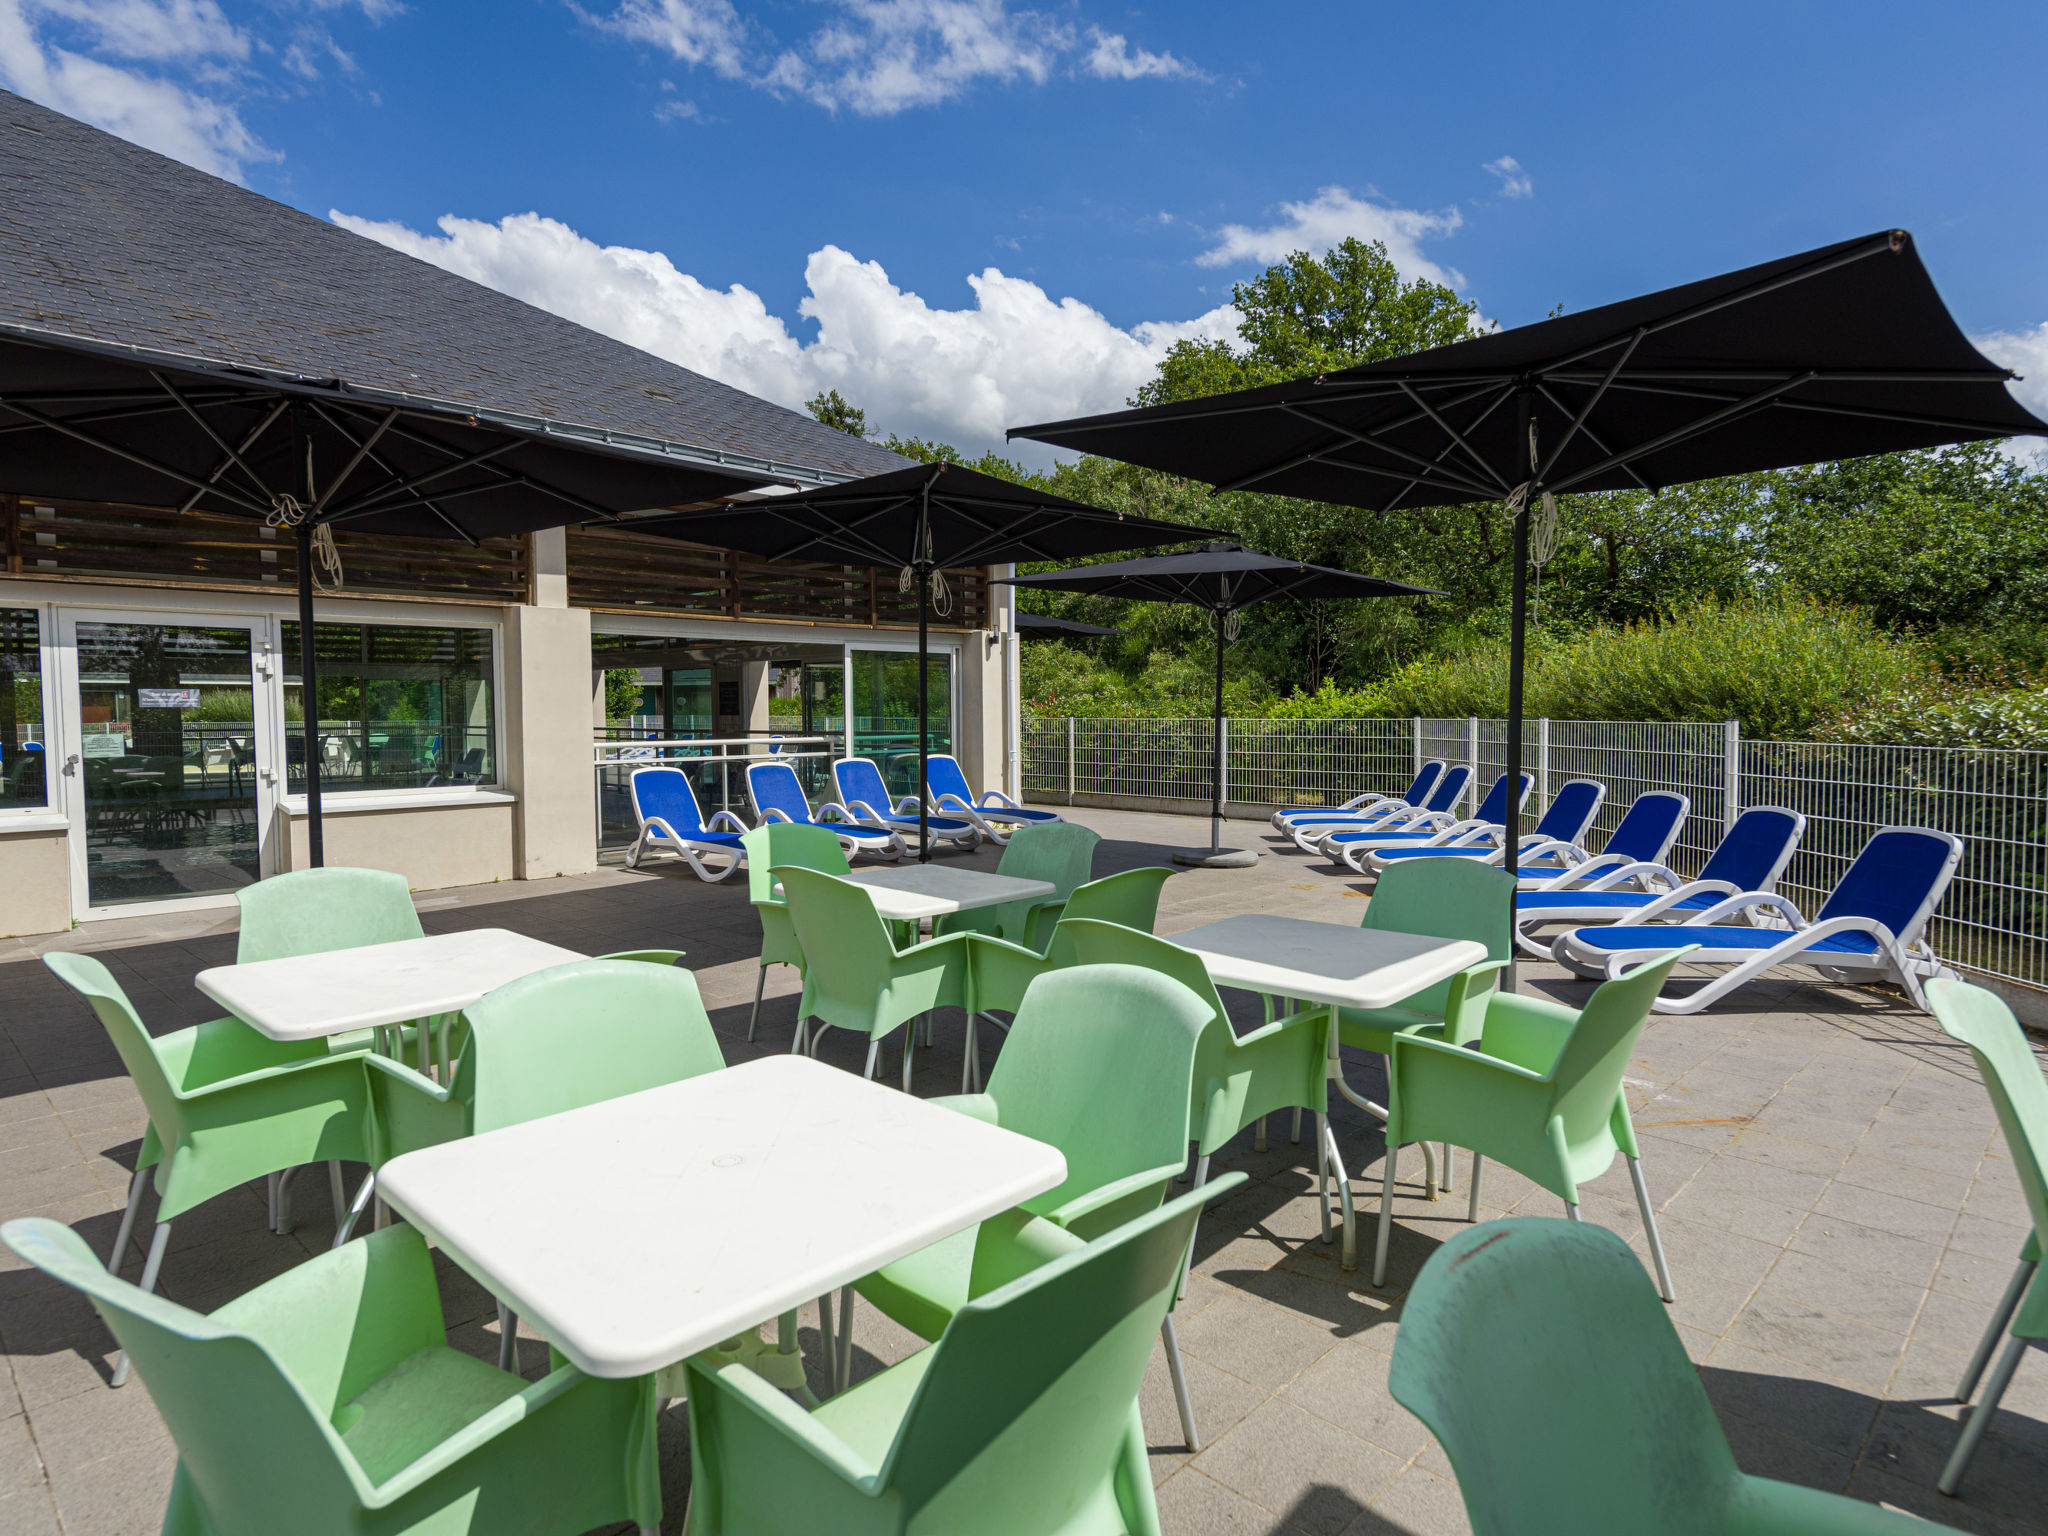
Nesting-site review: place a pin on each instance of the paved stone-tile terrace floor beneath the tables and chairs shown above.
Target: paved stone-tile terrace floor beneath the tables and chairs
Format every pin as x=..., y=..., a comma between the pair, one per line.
x=1834, y=1195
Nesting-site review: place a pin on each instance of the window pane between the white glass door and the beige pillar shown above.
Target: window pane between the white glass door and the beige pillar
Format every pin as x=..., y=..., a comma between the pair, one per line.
x=400, y=708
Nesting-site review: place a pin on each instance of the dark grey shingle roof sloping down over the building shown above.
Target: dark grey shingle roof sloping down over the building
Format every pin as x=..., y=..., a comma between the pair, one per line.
x=120, y=247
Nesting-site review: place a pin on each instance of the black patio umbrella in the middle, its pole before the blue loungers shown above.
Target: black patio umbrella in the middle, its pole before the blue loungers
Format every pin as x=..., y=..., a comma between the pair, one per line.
x=921, y=521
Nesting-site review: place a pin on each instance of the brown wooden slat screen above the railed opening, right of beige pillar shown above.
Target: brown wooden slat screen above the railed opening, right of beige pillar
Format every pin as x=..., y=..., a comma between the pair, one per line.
x=644, y=574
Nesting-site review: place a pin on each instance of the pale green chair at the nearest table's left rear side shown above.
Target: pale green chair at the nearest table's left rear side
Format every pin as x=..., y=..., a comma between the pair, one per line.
x=548, y=1043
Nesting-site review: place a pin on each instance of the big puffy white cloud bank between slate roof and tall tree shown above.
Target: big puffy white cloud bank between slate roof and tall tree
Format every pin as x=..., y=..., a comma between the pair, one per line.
x=962, y=376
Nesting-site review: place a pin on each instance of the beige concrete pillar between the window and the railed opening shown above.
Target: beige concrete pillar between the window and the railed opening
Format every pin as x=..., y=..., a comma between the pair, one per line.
x=548, y=742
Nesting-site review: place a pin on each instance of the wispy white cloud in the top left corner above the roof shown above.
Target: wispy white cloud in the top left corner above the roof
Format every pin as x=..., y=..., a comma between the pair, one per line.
x=146, y=110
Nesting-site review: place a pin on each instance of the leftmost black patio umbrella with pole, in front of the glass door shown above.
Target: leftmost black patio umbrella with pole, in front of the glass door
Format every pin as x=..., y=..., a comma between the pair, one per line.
x=95, y=425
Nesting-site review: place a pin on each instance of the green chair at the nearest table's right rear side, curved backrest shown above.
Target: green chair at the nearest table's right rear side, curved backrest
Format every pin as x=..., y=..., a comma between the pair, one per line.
x=1099, y=1064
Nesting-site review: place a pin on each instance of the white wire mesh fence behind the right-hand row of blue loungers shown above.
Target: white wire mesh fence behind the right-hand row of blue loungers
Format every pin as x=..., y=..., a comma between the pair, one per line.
x=1994, y=921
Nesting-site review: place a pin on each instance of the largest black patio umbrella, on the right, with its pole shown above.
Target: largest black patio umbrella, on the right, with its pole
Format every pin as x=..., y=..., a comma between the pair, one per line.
x=1828, y=355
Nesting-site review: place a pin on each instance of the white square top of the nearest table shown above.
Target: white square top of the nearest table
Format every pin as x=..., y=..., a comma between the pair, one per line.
x=638, y=1232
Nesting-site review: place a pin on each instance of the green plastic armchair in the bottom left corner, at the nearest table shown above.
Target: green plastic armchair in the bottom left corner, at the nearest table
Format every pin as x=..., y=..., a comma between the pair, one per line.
x=329, y=1404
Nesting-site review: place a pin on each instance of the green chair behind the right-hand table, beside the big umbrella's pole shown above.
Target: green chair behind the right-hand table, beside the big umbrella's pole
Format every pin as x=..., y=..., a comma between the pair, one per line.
x=1441, y=898
